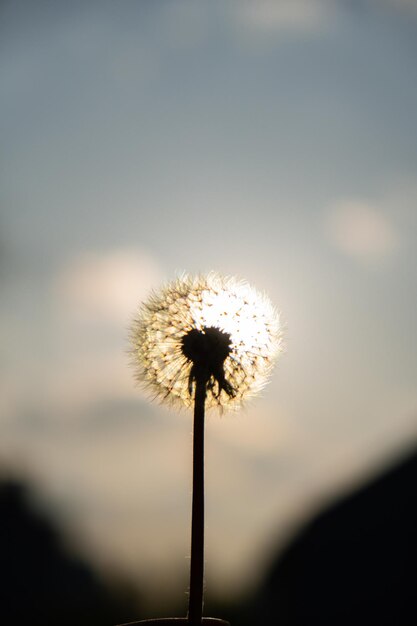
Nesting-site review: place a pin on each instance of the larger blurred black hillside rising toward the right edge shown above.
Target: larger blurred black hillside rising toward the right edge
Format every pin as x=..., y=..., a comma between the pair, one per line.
x=354, y=564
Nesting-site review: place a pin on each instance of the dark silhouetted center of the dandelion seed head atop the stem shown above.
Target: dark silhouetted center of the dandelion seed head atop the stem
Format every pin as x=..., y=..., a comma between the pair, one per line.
x=206, y=348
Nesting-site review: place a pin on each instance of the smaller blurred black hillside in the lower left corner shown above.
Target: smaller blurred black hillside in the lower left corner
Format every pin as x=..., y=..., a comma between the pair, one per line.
x=41, y=582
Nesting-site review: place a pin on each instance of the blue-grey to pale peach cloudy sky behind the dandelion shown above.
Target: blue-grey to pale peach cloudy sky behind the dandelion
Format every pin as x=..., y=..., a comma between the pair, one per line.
x=272, y=141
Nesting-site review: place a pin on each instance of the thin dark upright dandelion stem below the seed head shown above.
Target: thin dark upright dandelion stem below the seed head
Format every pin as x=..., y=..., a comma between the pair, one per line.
x=195, y=607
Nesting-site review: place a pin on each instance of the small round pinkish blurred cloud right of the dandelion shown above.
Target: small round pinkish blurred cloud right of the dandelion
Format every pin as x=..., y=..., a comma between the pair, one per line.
x=361, y=231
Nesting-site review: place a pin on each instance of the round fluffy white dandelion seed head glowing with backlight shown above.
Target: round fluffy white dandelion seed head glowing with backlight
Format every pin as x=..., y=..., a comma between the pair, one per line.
x=211, y=324
